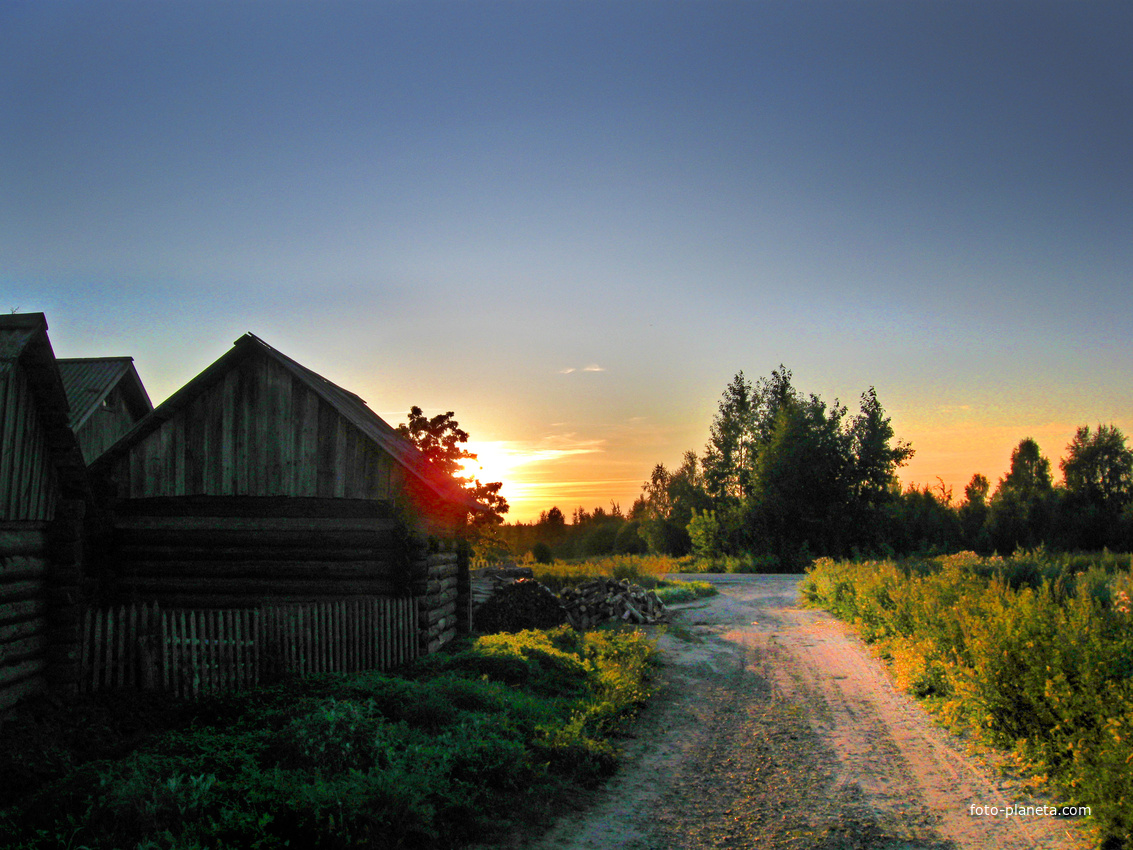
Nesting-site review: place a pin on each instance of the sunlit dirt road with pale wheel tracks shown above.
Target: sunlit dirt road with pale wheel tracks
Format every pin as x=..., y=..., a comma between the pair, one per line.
x=777, y=729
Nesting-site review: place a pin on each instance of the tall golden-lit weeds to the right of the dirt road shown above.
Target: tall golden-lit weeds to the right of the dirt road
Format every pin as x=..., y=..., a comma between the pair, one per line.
x=1033, y=654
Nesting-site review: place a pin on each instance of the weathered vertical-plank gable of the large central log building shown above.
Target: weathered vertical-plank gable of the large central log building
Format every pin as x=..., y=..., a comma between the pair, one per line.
x=255, y=429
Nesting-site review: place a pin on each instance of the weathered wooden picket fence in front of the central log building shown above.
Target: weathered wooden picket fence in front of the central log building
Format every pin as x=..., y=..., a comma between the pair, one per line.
x=193, y=652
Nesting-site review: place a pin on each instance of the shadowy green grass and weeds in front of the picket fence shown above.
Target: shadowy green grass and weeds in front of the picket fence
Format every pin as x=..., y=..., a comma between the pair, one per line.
x=462, y=747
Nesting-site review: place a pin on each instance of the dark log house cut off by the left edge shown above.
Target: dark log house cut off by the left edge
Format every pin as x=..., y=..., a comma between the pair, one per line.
x=45, y=497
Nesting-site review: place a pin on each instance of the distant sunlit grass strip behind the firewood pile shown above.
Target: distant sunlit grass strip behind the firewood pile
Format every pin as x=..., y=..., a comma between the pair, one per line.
x=643, y=571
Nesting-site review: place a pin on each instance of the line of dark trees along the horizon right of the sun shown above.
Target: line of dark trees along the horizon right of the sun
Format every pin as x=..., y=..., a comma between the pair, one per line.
x=787, y=478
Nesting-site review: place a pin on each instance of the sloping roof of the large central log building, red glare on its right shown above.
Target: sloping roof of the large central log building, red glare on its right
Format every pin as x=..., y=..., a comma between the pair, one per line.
x=351, y=406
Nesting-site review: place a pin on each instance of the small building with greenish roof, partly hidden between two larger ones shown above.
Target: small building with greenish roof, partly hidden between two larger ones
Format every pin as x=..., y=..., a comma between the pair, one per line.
x=107, y=399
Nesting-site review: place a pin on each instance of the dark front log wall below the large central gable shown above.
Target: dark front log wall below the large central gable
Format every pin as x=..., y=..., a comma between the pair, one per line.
x=236, y=552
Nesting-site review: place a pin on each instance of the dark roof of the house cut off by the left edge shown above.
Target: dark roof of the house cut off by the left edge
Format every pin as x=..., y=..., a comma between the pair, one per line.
x=24, y=343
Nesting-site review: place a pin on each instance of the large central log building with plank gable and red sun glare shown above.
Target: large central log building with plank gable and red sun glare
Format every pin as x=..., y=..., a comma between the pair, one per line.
x=262, y=482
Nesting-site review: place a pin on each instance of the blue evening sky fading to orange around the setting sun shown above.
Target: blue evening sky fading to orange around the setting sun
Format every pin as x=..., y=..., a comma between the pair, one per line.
x=572, y=224
